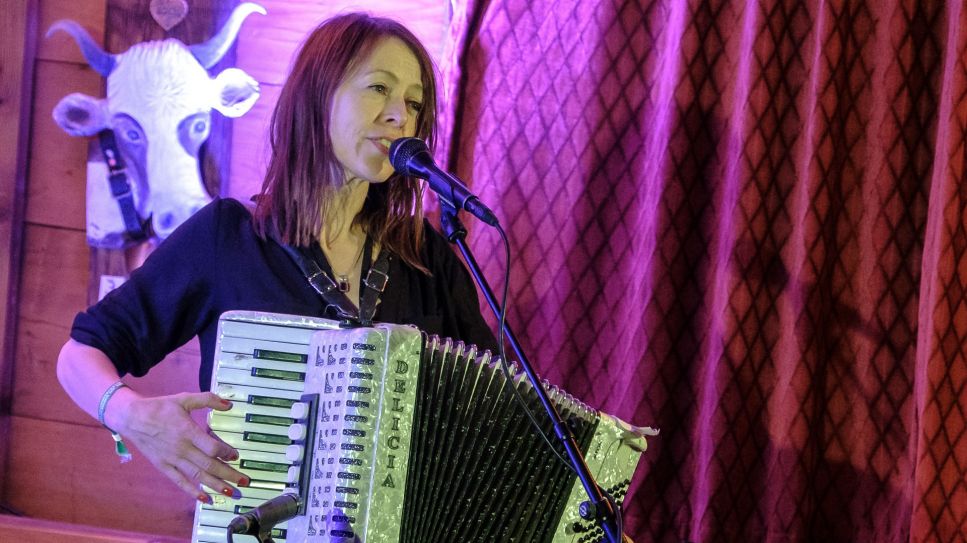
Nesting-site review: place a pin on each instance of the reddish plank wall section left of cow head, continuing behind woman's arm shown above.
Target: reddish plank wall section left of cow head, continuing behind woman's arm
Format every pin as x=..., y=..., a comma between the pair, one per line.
x=61, y=465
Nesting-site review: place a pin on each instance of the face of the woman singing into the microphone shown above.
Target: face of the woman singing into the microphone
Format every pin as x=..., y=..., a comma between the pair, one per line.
x=377, y=102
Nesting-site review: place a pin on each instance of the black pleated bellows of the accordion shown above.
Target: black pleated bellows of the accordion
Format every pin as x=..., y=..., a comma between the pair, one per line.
x=478, y=471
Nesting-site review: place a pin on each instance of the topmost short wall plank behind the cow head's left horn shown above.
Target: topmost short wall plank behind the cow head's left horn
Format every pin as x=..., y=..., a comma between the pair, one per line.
x=61, y=47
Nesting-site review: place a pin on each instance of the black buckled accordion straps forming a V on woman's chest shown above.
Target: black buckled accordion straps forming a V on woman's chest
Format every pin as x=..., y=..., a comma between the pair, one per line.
x=322, y=282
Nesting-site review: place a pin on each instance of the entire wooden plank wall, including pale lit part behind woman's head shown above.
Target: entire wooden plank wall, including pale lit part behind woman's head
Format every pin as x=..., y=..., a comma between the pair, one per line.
x=60, y=464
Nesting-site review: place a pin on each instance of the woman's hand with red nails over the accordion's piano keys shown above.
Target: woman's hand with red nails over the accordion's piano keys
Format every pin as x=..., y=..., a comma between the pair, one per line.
x=163, y=431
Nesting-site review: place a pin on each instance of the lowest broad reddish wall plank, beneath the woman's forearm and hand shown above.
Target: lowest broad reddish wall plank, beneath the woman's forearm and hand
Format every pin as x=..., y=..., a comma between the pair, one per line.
x=69, y=473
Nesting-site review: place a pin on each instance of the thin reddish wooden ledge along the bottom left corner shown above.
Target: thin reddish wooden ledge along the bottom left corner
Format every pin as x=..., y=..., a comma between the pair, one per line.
x=29, y=529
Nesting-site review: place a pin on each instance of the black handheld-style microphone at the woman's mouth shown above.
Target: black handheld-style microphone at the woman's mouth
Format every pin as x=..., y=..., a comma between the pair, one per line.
x=410, y=156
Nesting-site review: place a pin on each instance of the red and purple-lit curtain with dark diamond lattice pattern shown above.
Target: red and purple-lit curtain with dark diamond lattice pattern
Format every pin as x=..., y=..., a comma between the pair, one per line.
x=743, y=223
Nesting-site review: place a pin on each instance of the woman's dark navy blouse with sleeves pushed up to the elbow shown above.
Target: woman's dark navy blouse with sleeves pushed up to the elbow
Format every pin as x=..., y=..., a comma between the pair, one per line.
x=215, y=262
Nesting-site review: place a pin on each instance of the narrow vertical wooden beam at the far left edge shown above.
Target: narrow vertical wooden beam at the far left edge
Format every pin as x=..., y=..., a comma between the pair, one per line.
x=17, y=49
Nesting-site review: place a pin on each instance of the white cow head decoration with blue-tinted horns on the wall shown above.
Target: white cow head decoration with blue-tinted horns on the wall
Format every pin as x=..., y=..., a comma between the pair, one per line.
x=159, y=101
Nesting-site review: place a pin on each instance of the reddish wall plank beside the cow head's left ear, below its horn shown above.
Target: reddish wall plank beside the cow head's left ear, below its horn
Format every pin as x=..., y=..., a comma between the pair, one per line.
x=56, y=191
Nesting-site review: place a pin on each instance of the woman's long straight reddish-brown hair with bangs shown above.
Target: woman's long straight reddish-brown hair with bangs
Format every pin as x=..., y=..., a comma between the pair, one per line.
x=303, y=173
